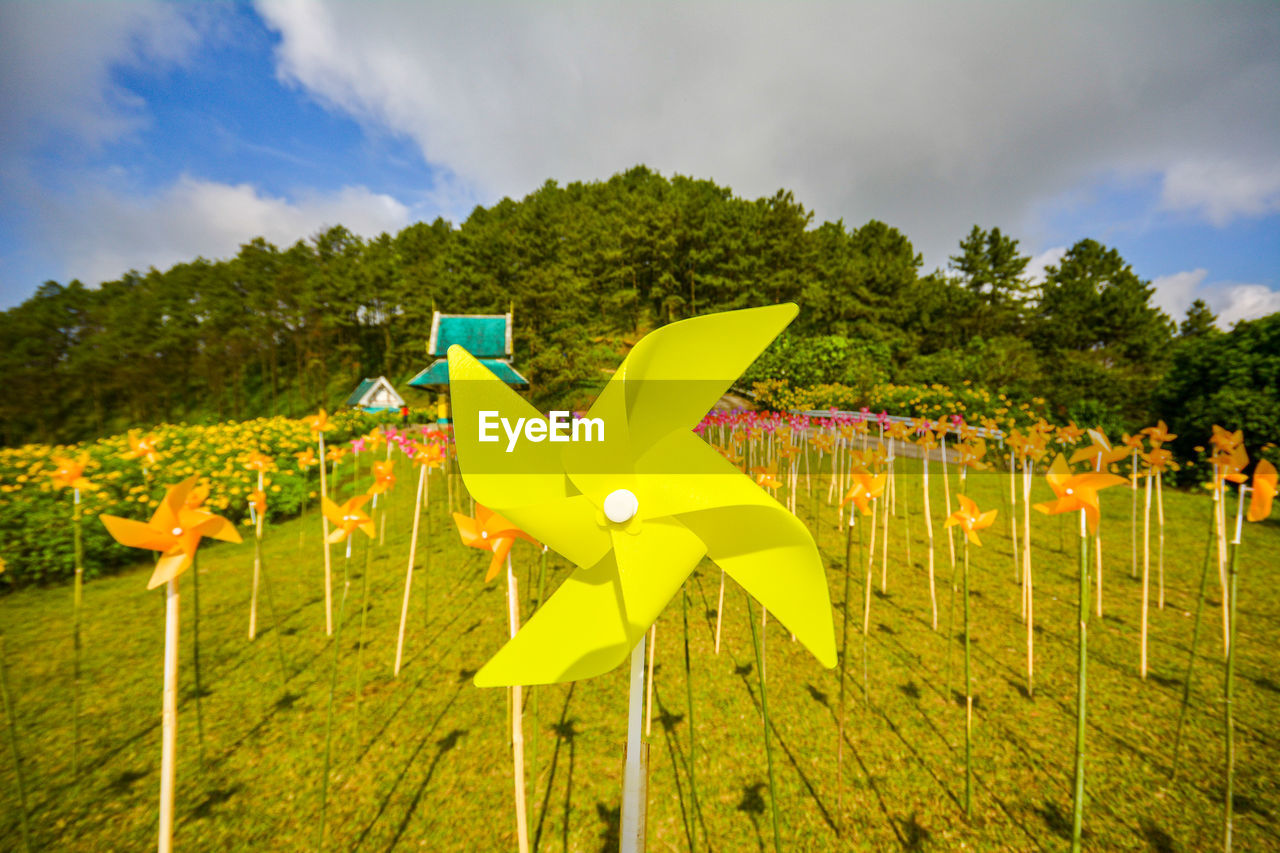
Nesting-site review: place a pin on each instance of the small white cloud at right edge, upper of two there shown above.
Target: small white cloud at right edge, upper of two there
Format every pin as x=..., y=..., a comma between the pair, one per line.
x=1222, y=191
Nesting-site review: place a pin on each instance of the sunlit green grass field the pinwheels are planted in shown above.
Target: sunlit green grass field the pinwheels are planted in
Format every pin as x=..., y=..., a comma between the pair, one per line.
x=423, y=761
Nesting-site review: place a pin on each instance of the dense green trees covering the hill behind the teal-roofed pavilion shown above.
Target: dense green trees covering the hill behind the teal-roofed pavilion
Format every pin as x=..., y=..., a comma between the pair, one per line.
x=586, y=267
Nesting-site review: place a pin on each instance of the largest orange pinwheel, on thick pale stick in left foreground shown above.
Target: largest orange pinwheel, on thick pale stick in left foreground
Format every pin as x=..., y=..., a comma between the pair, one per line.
x=175, y=531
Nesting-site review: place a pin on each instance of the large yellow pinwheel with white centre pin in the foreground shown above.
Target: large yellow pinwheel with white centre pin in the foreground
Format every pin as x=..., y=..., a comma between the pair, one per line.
x=639, y=503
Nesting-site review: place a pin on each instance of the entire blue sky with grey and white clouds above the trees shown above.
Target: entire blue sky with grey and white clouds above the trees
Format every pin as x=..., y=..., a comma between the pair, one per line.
x=141, y=134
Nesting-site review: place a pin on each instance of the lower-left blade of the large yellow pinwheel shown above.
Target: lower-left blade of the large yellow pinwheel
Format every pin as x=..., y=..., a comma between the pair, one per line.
x=591, y=624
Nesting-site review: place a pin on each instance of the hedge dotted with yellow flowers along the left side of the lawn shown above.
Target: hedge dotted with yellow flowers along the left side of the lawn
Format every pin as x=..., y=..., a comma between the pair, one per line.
x=36, y=519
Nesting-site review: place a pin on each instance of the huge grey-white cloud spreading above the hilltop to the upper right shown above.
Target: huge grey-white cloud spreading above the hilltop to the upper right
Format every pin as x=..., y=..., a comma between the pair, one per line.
x=929, y=116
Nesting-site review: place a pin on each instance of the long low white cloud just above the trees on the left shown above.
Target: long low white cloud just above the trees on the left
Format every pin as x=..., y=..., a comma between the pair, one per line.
x=104, y=232
